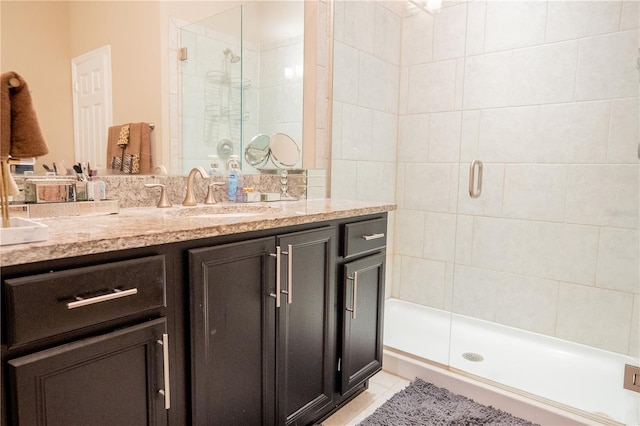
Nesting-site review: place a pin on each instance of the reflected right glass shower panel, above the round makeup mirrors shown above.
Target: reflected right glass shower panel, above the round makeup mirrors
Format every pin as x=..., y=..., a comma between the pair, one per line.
x=273, y=49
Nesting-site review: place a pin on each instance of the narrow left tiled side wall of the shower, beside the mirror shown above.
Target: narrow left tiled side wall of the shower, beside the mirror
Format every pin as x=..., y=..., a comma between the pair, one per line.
x=366, y=58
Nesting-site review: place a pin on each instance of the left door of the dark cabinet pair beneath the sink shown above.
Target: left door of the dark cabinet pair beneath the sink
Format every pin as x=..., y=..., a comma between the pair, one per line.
x=233, y=333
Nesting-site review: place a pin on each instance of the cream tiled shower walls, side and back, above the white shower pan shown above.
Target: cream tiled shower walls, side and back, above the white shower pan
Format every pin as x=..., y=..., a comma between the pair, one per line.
x=546, y=95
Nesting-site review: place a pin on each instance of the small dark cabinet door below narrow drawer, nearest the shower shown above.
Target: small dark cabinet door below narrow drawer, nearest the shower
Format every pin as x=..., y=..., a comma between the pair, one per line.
x=363, y=296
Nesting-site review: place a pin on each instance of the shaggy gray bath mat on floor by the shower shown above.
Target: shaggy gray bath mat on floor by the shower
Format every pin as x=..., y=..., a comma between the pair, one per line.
x=422, y=403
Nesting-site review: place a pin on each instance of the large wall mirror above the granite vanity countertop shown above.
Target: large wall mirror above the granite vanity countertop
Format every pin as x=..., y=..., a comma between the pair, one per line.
x=39, y=39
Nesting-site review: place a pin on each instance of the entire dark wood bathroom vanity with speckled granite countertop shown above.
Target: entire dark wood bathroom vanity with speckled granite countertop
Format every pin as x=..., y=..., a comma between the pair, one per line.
x=268, y=313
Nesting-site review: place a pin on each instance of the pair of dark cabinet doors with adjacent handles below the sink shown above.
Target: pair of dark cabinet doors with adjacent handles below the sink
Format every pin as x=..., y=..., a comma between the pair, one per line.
x=263, y=328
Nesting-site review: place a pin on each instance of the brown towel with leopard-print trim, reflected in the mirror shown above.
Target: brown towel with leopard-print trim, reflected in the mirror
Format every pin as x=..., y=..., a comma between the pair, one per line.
x=137, y=152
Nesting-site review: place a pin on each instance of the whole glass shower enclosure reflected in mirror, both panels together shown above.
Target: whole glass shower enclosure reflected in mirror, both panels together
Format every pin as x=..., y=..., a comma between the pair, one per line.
x=244, y=80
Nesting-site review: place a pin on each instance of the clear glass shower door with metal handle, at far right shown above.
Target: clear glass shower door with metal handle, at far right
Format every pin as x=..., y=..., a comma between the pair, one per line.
x=546, y=287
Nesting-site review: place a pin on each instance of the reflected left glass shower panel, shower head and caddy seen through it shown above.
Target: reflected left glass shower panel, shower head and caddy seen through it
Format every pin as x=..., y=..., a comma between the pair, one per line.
x=212, y=85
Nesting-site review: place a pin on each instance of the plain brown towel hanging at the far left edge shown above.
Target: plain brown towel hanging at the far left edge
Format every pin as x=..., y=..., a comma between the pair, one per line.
x=21, y=134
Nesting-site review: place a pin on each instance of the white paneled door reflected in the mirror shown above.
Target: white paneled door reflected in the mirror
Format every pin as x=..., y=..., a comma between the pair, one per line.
x=92, y=106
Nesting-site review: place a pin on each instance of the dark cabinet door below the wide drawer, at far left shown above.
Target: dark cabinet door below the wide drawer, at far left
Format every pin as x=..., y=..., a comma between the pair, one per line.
x=113, y=379
